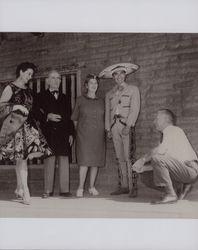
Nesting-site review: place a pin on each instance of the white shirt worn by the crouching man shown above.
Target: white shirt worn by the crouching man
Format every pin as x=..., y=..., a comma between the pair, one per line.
x=176, y=144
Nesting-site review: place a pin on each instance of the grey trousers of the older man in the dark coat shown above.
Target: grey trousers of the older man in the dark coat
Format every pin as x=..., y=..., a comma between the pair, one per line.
x=49, y=173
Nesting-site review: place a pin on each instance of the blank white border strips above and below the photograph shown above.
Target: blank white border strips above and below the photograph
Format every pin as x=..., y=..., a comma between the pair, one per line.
x=169, y=16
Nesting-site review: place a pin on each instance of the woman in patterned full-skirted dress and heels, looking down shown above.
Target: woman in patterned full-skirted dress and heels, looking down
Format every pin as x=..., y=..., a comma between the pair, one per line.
x=20, y=138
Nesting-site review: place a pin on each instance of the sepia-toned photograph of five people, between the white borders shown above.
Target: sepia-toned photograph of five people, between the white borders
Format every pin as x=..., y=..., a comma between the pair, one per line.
x=98, y=125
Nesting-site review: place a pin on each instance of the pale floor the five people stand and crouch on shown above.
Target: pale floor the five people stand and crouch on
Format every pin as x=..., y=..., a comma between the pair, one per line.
x=103, y=206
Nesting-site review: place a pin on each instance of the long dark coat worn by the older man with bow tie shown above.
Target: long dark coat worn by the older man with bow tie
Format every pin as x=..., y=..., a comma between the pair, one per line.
x=56, y=133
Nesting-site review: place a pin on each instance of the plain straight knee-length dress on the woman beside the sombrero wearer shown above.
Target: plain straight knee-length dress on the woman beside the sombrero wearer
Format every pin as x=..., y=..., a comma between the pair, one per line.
x=90, y=137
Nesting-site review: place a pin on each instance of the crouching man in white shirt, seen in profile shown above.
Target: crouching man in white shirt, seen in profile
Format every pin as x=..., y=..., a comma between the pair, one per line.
x=173, y=160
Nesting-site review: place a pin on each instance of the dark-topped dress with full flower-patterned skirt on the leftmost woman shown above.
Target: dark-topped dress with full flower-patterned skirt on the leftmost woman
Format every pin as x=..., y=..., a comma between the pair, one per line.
x=28, y=140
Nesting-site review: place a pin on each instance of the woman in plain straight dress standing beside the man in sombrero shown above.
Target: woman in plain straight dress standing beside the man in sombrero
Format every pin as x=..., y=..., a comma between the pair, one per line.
x=88, y=117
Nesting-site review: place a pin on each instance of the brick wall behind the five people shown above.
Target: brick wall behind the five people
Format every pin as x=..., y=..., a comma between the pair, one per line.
x=167, y=77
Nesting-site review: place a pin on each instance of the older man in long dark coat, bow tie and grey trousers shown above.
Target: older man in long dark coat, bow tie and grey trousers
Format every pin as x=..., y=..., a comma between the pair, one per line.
x=53, y=111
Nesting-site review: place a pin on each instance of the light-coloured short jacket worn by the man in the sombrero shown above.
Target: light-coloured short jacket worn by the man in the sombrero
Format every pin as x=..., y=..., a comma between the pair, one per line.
x=125, y=103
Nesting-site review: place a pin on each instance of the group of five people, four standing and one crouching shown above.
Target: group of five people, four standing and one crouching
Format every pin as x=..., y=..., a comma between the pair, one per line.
x=45, y=126
